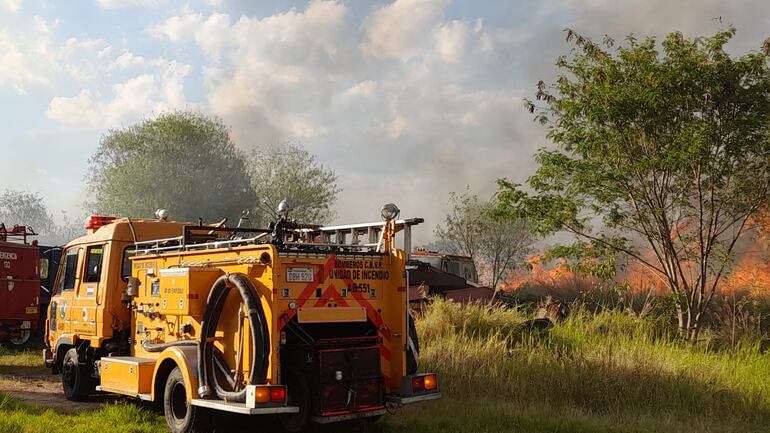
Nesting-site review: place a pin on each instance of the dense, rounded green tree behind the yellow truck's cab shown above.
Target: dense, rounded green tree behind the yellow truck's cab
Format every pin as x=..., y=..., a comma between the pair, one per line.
x=182, y=161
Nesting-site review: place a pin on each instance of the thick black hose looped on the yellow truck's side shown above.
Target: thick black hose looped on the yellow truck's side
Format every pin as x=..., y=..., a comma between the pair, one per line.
x=259, y=334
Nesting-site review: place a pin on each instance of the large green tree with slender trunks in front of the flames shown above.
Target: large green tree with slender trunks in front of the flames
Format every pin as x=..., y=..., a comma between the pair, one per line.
x=661, y=154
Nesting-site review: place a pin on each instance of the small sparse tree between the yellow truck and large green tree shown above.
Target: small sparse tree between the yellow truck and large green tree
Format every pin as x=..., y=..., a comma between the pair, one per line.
x=496, y=245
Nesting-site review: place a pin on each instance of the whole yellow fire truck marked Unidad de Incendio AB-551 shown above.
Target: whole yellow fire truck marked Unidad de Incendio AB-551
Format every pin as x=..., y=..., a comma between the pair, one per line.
x=306, y=322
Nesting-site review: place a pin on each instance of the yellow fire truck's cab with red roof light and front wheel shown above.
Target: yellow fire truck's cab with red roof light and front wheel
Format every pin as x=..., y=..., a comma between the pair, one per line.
x=86, y=317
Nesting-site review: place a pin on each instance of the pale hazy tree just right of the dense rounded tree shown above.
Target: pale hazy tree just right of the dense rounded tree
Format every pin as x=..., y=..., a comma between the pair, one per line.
x=288, y=171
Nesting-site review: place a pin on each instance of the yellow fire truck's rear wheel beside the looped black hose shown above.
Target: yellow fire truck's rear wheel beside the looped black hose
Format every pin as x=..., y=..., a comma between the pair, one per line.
x=181, y=416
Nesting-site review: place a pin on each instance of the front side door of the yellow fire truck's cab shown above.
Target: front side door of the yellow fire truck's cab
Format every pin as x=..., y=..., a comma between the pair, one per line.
x=60, y=319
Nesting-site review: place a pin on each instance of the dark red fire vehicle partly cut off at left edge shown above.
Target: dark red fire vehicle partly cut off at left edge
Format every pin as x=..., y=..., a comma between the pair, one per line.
x=24, y=265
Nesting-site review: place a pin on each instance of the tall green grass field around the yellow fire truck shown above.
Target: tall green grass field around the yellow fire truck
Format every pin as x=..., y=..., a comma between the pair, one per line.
x=607, y=372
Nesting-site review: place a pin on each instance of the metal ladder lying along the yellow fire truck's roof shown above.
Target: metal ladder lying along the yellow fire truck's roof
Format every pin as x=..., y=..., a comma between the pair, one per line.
x=352, y=238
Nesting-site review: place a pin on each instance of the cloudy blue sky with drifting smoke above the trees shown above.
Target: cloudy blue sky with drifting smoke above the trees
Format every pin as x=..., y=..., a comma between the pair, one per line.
x=408, y=100
